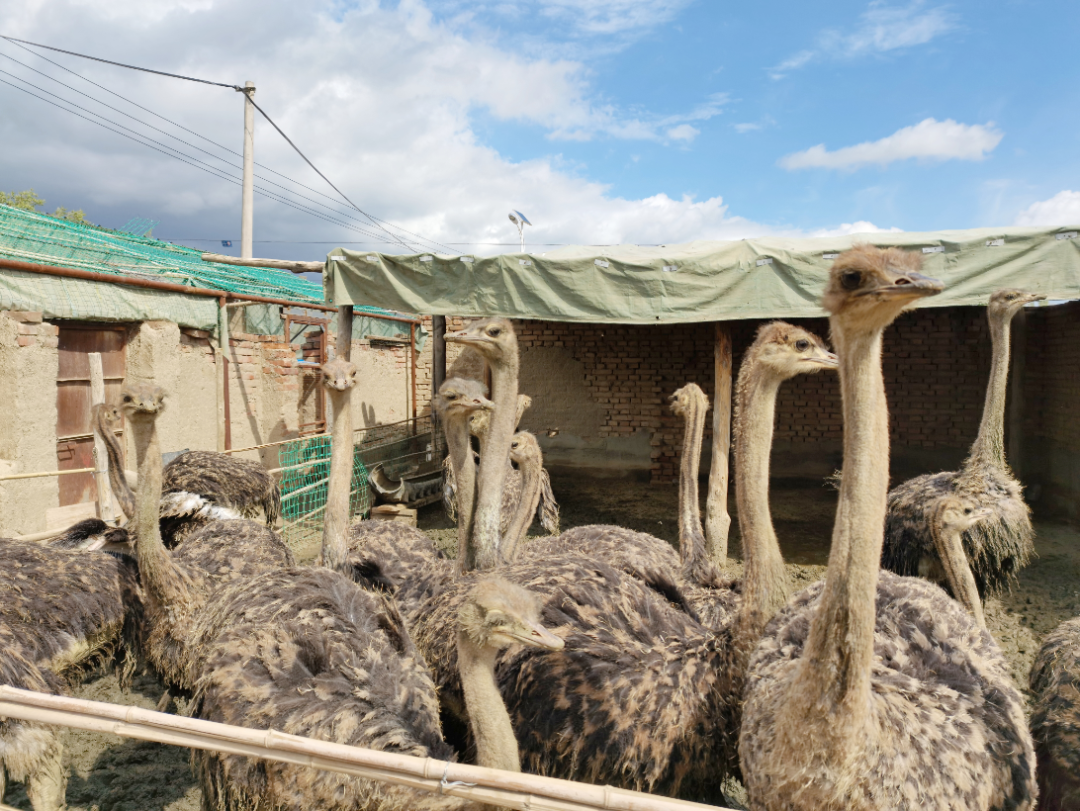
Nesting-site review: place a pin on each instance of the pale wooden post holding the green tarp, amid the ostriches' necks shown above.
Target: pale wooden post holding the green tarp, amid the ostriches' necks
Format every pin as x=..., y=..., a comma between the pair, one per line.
x=718, y=520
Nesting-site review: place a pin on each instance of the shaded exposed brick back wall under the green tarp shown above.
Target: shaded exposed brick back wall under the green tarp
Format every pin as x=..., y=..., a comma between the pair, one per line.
x=936, y=367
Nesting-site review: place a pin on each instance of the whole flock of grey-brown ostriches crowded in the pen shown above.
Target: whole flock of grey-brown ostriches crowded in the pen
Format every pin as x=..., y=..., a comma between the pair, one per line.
x=600, y=655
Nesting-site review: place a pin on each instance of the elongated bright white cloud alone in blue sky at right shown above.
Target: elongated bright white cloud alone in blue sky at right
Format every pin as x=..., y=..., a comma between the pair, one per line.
x=929, y=140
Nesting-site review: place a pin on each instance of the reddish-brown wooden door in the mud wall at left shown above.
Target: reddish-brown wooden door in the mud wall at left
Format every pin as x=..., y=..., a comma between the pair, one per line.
x=75, y=435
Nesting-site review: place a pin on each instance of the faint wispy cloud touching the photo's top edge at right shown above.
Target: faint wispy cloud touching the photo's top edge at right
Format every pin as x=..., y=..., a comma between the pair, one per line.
x=881, y=30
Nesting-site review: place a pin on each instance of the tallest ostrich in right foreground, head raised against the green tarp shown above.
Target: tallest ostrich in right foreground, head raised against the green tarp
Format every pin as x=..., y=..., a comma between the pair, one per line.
x=872, y=691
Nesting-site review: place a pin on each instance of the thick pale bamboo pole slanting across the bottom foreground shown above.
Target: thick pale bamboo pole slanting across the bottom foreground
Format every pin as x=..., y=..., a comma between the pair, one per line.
x=493, y=787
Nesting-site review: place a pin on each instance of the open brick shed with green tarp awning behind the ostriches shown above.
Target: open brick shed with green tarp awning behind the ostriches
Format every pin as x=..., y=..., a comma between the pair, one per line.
x=607, y=334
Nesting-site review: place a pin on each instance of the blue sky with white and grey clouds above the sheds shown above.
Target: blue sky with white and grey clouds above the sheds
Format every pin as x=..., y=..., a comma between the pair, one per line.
x=604, y=120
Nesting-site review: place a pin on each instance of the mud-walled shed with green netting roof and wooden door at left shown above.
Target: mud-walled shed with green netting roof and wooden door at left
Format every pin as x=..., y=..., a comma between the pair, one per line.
x=154, y=309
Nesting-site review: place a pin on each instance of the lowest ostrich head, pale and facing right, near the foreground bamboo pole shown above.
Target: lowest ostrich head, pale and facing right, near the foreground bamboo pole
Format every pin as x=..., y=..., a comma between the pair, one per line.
x=499, y=614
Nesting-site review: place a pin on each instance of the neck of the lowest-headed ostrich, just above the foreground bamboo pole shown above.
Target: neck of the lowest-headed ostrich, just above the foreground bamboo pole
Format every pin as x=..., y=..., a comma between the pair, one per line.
x=489, y=720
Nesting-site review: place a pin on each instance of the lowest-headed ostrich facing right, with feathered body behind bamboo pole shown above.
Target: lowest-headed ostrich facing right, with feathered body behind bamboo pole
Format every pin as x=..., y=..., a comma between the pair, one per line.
x=312, y=654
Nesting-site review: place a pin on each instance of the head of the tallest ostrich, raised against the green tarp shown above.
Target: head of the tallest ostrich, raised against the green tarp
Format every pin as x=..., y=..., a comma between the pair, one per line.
x=870, y=287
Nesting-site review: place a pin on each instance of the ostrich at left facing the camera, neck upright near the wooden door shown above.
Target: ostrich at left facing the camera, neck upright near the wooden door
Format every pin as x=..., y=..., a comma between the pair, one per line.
x=181, y=584
